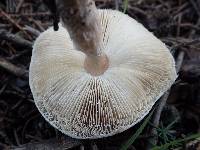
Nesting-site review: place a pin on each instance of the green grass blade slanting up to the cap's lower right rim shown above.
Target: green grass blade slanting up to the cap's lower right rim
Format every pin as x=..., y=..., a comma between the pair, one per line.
x=137, y=133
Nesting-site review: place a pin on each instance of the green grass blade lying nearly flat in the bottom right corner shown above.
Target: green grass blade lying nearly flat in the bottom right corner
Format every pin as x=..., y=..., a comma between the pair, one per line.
x=176, y=142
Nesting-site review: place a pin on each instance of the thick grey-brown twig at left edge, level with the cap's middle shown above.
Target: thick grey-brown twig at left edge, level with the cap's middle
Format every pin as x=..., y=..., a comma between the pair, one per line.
x=20, y=72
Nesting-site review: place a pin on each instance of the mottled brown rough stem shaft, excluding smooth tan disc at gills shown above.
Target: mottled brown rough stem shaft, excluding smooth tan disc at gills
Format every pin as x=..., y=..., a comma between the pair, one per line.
x=81, y=19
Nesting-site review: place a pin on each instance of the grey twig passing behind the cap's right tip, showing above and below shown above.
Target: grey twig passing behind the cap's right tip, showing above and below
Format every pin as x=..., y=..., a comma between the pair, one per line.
x=157, y=113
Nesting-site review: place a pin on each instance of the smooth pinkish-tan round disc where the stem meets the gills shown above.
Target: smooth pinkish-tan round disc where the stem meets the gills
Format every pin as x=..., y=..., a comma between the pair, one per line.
x=96, y=65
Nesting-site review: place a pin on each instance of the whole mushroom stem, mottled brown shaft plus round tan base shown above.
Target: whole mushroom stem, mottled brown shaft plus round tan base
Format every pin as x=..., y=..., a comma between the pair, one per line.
x=81, y=19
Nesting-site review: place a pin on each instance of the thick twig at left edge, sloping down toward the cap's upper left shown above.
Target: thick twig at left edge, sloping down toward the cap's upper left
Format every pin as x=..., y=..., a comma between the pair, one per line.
x=15, y=39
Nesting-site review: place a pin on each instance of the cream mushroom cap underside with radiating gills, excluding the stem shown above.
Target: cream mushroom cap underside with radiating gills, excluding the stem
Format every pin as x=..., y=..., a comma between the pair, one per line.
x=82, y=106
